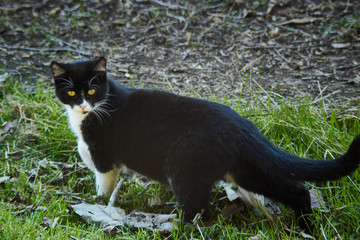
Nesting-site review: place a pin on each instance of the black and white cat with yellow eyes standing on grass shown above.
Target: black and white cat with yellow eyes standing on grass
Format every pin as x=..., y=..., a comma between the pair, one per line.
x=182, y=142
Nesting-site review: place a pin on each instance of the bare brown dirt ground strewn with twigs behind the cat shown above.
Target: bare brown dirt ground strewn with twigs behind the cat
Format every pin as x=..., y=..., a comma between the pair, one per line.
x=281, y=48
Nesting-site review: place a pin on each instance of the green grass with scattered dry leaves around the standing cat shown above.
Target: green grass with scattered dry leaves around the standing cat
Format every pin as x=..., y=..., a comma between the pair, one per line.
x=43, y=133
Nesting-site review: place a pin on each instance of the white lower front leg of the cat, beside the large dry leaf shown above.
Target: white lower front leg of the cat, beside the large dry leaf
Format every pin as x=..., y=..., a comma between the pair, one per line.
x=105, y=182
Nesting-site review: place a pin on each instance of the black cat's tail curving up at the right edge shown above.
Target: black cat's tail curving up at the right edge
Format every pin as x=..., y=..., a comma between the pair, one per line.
x=322, y=170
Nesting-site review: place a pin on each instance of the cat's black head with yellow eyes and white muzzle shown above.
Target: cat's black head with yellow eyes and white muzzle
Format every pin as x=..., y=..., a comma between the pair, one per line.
x=81, y=85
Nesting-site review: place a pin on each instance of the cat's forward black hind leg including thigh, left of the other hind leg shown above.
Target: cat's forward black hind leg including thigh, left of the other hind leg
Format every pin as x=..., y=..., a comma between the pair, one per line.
x=192, y=167
